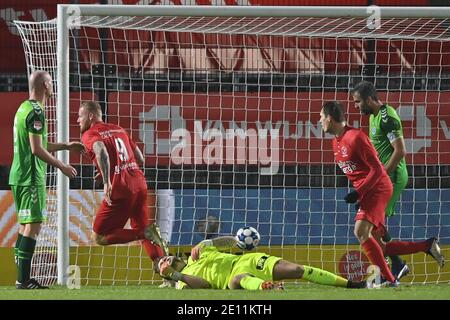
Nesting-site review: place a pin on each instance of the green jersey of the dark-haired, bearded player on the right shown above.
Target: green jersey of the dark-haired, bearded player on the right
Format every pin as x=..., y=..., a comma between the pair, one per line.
x=384, y=128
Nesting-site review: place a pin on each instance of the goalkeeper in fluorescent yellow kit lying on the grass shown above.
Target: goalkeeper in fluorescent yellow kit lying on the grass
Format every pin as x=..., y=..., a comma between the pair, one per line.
x=209, y=268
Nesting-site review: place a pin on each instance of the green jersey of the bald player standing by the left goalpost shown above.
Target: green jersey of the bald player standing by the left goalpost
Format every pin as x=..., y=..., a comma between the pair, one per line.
x=27, y=169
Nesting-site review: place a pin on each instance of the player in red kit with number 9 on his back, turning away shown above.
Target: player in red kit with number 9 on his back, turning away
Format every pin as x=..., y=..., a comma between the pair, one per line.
x=117, y=159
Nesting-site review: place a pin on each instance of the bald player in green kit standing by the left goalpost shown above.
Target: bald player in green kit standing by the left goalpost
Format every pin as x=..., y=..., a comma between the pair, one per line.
x=27, y=176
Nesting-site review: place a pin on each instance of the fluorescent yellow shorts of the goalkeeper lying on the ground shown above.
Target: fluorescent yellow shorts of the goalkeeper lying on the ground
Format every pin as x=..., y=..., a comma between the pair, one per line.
x=259, y=265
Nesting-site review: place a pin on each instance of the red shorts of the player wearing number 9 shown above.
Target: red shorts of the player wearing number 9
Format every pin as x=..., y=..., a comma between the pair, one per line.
x=133, y=207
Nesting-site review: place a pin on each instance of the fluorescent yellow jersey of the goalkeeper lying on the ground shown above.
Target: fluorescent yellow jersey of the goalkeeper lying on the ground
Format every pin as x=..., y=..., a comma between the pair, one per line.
x=213, y=266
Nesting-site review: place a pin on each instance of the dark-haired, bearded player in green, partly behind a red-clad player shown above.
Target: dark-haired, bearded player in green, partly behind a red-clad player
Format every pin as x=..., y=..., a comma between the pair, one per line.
x=386, y=134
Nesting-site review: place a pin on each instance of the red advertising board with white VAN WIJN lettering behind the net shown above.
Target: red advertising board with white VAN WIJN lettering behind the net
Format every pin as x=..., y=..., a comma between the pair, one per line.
x=202, y=121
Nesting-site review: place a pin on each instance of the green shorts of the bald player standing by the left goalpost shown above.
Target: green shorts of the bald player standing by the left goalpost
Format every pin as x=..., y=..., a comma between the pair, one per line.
x=30, y=203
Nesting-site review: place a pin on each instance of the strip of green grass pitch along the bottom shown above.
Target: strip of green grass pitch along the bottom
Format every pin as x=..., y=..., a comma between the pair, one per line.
x=292, y=292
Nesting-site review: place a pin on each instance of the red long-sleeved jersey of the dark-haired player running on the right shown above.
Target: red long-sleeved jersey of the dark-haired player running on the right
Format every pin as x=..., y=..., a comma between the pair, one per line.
x=357, y=157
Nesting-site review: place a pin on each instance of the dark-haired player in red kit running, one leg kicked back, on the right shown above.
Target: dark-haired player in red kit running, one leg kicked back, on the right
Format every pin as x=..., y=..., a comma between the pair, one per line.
x=356, y=156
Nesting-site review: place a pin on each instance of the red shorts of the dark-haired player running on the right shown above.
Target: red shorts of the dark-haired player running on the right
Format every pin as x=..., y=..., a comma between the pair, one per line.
x=373, y=204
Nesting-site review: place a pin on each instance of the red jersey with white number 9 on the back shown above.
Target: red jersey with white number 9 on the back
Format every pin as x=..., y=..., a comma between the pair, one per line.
x=125, y=174
